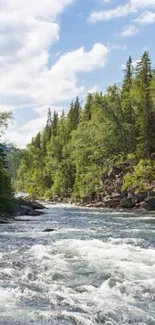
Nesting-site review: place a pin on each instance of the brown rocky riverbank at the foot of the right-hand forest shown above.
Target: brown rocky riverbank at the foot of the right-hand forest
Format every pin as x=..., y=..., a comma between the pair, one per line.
x=113, y=196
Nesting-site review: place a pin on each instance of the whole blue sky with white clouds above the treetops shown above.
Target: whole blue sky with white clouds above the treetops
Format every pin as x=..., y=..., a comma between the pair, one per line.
x=52, y=51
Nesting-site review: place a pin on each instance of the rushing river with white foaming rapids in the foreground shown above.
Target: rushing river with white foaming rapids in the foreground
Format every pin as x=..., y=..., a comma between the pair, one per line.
x=98, y=267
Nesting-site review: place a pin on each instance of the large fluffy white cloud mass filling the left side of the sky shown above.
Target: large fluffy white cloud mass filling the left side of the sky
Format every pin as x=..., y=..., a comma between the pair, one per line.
x=28, y=29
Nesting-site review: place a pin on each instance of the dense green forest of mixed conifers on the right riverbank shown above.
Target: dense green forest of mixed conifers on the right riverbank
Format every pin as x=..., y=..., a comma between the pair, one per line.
x=76, y=152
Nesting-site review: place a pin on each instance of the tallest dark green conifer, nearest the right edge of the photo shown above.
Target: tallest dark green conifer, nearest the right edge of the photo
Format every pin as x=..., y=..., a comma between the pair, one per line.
x=145, y=111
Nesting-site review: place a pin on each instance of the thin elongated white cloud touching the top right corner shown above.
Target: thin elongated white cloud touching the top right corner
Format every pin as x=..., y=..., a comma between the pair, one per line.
x=133, y=6
